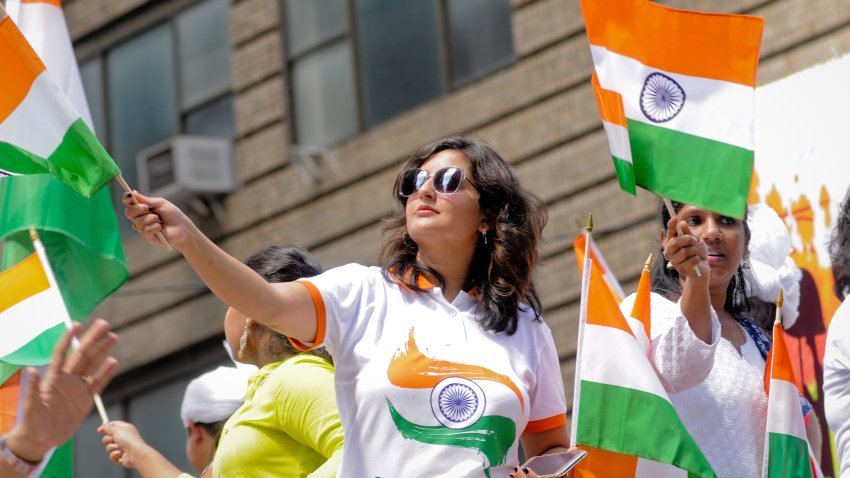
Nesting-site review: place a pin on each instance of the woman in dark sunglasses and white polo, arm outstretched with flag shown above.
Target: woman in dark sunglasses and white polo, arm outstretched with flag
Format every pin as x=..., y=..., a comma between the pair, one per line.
x=444, y=365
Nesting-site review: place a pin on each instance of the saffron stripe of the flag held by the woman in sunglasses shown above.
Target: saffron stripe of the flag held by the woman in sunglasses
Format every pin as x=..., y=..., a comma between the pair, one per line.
x=21, y=66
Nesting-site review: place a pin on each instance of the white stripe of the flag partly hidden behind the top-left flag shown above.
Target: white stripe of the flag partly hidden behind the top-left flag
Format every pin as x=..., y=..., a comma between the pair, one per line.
x=43, y=25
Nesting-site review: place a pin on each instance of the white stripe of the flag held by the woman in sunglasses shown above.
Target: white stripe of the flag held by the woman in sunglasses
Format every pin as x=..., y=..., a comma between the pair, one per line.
x=40, y=122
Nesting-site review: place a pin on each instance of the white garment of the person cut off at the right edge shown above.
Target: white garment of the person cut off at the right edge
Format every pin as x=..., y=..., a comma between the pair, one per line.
x=836, y=383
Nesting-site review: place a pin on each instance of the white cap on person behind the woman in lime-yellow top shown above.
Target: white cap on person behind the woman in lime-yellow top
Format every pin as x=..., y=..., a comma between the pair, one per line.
x=215, y=395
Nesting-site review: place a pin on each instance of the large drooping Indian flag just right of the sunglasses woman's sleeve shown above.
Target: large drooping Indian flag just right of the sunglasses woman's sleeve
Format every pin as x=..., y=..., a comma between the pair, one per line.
x=621, y=415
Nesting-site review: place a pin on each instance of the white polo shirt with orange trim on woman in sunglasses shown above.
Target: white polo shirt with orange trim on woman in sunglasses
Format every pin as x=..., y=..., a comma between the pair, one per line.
x=422, y=389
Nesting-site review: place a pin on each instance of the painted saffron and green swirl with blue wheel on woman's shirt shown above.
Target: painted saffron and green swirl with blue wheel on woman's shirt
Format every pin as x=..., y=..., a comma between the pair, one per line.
x=457, y=402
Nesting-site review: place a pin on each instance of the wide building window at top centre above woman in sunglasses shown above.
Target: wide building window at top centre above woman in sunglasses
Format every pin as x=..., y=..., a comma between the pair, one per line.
x=355, y=64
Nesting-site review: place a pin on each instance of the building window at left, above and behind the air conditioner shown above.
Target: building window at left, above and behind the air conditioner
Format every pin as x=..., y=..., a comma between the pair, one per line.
x=173, y=77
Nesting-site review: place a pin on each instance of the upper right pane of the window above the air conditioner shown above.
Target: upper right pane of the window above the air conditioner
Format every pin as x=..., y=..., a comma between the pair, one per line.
x=203, y=34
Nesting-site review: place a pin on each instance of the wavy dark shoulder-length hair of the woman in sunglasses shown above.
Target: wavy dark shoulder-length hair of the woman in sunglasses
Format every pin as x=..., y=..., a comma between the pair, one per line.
x=501, y=270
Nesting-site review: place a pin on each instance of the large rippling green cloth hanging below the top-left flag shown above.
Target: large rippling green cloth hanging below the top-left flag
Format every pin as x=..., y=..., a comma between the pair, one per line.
x=80, y=235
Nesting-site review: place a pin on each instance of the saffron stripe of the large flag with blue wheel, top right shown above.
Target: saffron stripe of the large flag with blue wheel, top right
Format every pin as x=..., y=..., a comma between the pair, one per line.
x=710, y=45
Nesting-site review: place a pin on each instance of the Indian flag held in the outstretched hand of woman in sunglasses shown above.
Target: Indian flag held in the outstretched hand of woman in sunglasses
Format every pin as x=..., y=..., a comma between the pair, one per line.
x=40, y=130
